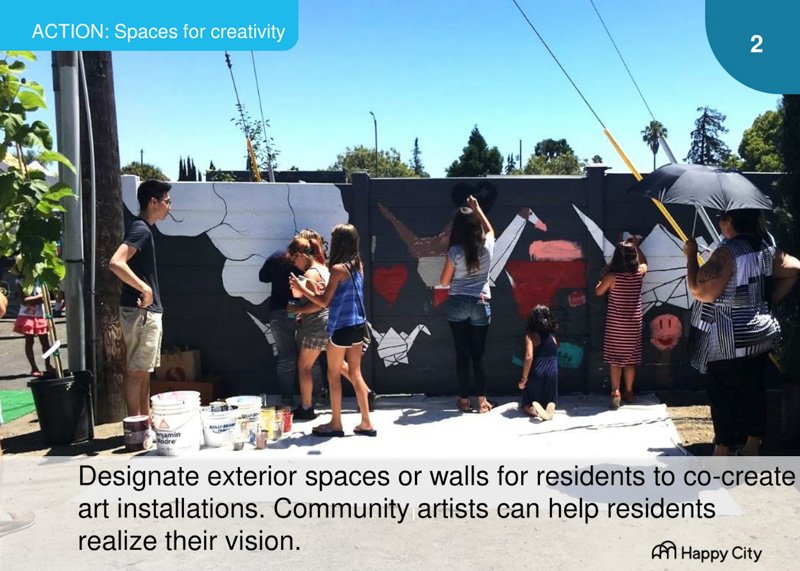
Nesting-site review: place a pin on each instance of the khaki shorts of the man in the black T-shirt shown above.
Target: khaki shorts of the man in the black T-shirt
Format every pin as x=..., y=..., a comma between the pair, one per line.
x=142, y=332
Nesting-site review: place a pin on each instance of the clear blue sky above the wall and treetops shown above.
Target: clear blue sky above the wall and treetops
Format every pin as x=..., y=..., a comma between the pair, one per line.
x=433, y=69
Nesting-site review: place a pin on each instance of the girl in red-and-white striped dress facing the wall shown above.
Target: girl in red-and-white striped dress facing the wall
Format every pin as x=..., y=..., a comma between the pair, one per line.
x=622, y=345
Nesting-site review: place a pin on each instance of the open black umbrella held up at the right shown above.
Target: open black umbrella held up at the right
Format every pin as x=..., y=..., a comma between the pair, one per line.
x=702, y=186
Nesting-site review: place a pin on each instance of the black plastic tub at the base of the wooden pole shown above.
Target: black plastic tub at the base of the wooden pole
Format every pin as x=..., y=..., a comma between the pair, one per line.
x=64, y=407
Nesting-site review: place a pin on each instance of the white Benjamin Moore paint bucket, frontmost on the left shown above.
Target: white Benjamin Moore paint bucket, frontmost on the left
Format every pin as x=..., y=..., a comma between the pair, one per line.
x=176, y=421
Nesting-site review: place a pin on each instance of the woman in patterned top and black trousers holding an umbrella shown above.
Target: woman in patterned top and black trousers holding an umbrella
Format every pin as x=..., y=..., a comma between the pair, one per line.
x=737, y=329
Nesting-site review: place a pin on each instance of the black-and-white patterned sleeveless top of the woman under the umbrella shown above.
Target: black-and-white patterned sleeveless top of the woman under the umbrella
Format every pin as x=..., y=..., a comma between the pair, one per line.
x=739, y=322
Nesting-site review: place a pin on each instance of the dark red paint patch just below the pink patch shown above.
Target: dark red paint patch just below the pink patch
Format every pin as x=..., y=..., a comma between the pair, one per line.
x=537, y=283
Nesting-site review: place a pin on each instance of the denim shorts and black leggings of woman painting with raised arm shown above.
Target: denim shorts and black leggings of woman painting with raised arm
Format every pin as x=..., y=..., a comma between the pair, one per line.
x=469, y=319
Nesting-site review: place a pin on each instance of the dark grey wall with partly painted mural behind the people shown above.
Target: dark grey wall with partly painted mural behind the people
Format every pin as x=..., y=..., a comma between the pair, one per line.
x=552, y=233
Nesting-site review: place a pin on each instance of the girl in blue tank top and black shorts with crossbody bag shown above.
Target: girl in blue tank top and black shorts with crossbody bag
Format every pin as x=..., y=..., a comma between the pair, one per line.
x=344, y=297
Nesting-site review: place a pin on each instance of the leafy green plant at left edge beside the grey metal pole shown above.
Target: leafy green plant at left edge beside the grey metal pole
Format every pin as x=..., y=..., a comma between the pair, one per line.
x=30, y=209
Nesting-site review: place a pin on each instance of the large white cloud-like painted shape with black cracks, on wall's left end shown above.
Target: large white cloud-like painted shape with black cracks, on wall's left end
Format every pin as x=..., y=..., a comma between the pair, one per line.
x=246, y=222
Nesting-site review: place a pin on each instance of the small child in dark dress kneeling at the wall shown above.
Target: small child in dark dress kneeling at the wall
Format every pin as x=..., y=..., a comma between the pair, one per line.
x=539, y=382
